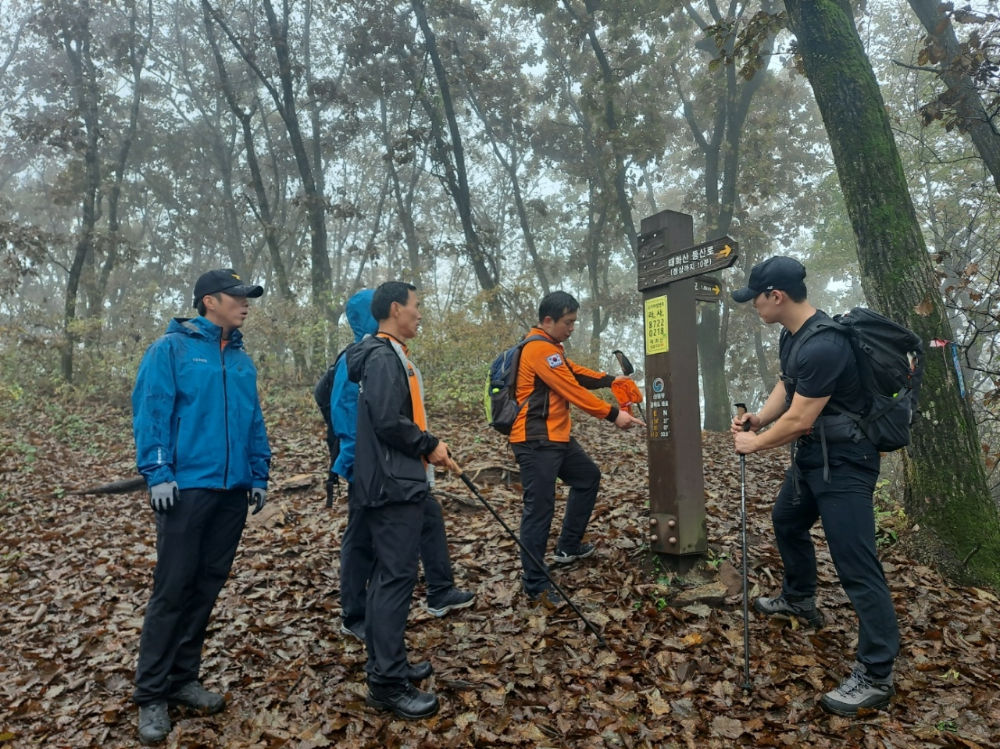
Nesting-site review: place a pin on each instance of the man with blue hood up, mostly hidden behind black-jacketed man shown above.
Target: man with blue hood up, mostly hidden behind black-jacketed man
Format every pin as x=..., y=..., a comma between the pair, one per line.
x=356, y=551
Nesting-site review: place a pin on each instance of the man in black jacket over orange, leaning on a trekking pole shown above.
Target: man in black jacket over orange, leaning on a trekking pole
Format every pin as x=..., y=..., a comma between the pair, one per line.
x=391, y=486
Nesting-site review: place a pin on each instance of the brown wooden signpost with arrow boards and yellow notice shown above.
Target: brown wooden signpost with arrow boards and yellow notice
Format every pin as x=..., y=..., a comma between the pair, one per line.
x=672, y=279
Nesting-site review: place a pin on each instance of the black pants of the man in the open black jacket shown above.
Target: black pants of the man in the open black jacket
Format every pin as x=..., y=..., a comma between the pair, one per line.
x=396, y=540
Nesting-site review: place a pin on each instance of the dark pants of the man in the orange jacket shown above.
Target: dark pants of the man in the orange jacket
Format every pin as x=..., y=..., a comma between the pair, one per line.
x=541, y=465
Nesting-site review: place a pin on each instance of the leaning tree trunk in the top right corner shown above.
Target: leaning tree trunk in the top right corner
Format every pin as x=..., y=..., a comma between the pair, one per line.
x=967, y=102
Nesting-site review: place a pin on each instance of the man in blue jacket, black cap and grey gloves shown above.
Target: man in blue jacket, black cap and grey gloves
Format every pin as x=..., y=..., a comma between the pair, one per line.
x=202, y=447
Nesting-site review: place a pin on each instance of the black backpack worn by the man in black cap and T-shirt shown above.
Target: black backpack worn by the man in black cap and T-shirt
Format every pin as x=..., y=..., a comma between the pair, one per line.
x=891, y=365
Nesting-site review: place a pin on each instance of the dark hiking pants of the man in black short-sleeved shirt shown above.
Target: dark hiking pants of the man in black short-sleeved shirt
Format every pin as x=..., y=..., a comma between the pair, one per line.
x=845, y=505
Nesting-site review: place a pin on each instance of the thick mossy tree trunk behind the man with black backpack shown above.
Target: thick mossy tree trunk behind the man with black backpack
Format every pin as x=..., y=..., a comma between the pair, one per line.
x=946, y=494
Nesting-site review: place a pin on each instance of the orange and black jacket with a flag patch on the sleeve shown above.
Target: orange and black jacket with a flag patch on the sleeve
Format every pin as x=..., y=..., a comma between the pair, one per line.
x=547, y=382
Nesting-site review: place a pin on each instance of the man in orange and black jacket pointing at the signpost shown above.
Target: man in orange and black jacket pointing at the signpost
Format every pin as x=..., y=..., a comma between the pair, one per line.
x=547, y=382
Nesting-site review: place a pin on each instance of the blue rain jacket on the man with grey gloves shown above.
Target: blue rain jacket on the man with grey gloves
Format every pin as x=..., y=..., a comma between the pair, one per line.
x=196, y=413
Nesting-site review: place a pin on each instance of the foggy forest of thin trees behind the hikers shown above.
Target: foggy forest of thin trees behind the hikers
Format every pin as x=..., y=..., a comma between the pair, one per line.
x=488, y=152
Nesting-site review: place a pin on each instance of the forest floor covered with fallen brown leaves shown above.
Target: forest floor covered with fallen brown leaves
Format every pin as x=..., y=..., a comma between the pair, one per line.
x=75, y=575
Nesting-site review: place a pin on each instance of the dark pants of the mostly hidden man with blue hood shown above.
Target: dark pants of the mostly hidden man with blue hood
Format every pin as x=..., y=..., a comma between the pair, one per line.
x=357, y=557
